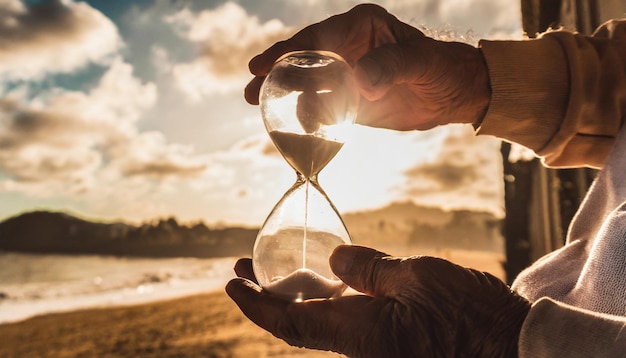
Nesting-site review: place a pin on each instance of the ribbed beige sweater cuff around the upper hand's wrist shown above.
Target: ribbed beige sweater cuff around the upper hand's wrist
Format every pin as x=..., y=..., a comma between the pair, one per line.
x=534, y=73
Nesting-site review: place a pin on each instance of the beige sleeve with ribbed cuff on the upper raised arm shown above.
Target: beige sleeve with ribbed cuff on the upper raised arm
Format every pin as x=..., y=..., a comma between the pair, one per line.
x=562, y=95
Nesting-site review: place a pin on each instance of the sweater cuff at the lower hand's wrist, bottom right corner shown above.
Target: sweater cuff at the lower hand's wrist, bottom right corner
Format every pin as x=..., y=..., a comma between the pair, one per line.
x=554, y=329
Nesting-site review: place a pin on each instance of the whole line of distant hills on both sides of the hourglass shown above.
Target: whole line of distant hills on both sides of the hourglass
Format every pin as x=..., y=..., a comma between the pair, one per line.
x=400, y=228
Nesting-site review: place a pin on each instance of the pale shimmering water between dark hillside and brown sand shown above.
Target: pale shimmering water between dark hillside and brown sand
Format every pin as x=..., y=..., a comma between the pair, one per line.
x=32, y=285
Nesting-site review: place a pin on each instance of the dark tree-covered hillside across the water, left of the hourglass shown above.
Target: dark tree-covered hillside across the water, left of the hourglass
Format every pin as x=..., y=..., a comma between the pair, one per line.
x=53, y=232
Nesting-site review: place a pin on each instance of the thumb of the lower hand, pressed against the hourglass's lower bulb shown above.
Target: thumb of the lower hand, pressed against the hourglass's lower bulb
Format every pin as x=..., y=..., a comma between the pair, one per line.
x=369, y=271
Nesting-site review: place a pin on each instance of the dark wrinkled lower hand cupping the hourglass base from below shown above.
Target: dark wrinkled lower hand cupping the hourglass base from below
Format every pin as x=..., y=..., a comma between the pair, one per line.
x=411, y=307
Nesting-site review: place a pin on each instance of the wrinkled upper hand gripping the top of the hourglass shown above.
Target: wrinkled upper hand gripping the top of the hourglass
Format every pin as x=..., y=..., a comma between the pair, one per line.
x=409, y=81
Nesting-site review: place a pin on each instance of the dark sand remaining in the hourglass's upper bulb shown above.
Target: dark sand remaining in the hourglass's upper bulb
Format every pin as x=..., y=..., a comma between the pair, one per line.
x=308, y=154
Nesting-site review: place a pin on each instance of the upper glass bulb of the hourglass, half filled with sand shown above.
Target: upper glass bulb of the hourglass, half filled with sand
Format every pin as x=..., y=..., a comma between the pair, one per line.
x=308, y=102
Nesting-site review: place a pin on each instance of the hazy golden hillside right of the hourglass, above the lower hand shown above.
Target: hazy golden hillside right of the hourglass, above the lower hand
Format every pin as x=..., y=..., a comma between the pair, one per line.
x=406, y=228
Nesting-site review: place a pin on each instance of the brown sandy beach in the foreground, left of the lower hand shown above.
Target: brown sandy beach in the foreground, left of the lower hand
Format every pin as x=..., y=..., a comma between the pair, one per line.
x=202, y=325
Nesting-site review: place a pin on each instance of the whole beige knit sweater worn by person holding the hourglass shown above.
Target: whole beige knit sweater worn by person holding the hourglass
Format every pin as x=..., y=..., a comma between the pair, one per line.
x=564, y=96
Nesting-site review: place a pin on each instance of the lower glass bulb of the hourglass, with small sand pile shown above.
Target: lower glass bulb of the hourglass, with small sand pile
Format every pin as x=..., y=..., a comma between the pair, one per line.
x=290, y=259
